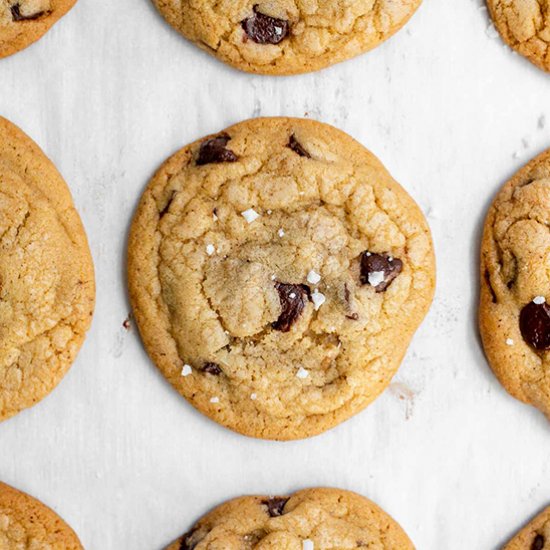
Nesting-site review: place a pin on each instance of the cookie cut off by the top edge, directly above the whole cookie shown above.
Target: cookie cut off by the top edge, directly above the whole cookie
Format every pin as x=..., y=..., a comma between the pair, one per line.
x=286, y=37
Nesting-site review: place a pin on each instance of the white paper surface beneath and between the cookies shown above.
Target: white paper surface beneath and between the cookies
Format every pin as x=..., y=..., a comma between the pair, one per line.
x=109, y=94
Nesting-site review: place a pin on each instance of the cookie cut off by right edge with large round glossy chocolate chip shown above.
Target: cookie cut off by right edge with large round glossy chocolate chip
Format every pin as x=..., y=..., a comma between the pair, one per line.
x=515, y=284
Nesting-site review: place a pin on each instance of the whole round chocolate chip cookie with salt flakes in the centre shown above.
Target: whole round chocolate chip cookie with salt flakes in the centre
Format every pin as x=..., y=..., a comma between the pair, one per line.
x=277, y=274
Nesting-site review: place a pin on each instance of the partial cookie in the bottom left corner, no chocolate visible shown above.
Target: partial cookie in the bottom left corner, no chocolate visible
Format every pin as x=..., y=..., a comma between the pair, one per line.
x=27, y=524
